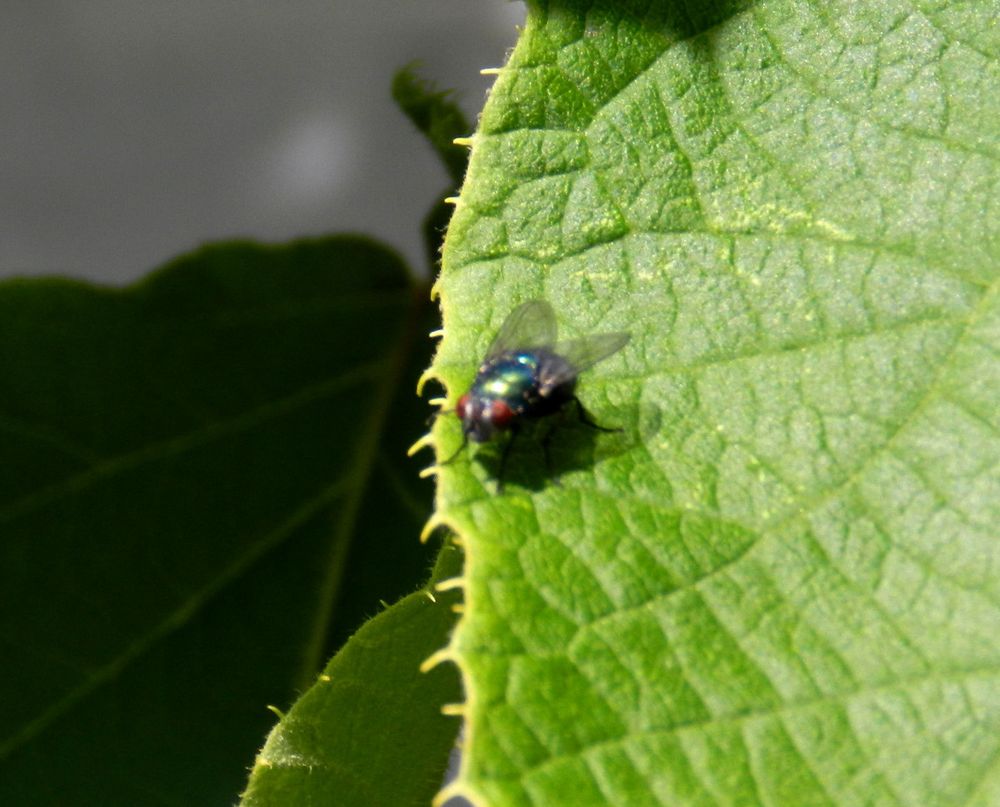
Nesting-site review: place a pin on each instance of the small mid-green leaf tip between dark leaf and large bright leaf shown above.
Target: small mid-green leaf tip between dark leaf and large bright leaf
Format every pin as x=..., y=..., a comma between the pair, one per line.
x=370, y=731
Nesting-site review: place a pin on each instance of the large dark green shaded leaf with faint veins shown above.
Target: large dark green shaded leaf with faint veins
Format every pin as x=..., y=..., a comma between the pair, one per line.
x=189, y=466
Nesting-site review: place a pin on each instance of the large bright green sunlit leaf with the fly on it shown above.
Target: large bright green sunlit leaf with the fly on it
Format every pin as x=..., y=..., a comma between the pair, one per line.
x=781, y=584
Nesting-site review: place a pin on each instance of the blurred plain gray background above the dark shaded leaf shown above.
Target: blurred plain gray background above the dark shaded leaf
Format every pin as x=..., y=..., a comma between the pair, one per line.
x=133, y=131
